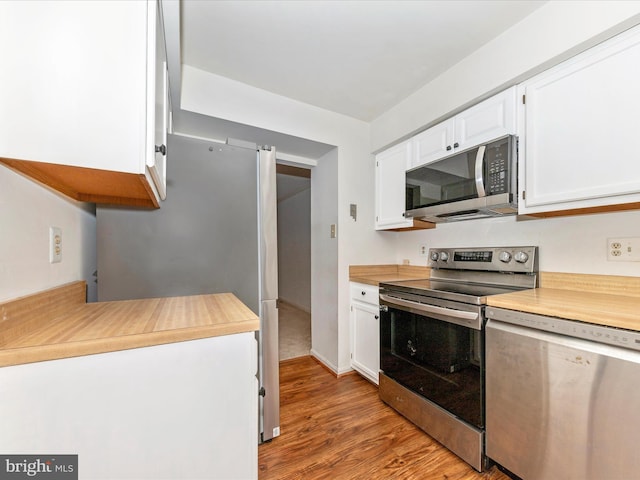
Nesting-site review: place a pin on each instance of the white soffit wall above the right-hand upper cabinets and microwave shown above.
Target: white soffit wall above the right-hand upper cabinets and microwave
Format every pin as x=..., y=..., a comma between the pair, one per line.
x=552, y=33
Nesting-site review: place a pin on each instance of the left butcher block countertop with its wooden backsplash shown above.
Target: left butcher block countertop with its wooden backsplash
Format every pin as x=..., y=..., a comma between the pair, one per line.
x=57, y=323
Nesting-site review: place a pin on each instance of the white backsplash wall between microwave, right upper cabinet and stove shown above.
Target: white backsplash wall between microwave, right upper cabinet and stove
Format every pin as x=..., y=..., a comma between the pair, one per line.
x=575, y=244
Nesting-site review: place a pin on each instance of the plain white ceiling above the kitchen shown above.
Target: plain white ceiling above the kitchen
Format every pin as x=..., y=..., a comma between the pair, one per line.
x=358, y=58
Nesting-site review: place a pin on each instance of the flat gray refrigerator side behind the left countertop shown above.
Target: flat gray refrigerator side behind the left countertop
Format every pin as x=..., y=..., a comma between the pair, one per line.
x=203, y=239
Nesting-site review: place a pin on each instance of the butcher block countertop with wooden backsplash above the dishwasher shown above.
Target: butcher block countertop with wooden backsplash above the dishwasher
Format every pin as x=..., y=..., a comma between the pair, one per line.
x=600, y=299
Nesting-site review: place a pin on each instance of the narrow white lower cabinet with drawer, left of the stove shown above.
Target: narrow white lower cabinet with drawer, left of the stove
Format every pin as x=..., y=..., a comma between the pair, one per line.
x=365, y=331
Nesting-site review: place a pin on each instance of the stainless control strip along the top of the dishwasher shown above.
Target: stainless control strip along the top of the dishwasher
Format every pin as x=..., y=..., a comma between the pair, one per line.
x=570, y=328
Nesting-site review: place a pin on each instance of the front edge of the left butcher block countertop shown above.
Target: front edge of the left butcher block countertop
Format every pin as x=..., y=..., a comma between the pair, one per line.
x=39, y=353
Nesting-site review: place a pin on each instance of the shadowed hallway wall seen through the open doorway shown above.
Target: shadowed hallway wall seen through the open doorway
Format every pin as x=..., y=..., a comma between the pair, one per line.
x=294, y=250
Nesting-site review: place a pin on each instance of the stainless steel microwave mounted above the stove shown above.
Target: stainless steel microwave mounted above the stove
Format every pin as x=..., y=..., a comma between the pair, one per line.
x=476, y=183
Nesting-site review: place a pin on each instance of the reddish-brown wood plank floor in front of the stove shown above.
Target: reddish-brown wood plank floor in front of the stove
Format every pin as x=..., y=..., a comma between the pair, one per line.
x=337, y=428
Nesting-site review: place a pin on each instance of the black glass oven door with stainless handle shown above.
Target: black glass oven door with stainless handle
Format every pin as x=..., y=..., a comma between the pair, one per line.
x=435, y=349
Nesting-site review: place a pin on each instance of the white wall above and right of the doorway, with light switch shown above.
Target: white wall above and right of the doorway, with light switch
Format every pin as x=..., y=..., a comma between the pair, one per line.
x=342, y=177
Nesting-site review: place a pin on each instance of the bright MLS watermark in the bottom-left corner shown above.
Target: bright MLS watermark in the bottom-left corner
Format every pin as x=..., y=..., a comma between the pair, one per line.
x=49, y=467
